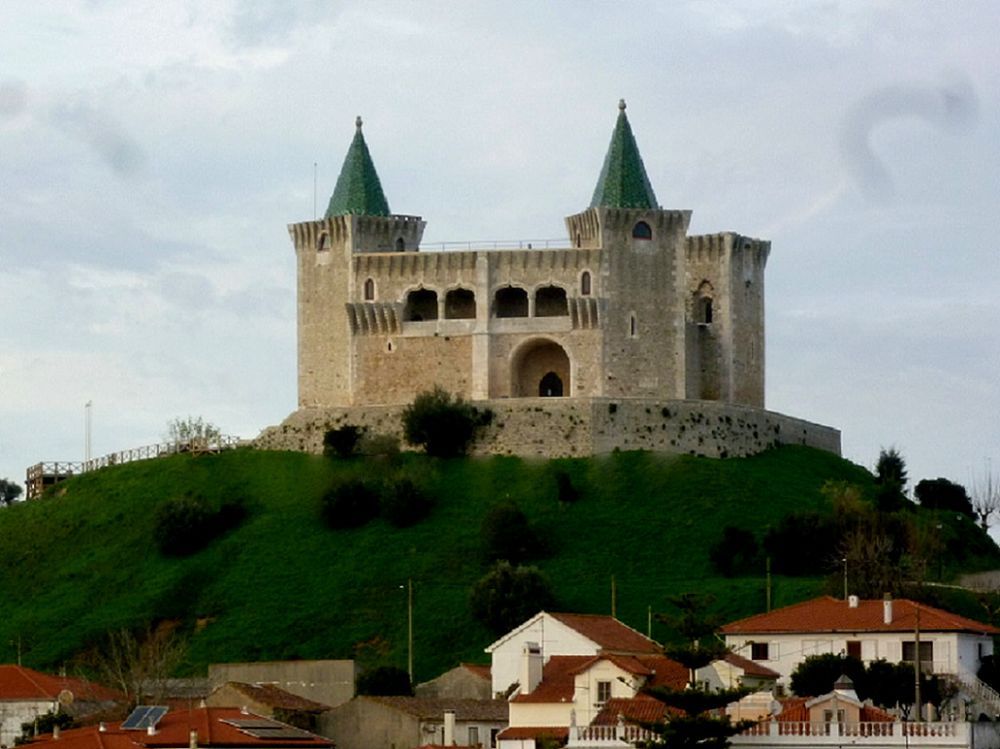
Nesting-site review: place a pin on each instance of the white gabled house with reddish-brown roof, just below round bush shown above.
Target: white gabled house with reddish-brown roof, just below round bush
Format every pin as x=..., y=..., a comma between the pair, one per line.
x=560, y=634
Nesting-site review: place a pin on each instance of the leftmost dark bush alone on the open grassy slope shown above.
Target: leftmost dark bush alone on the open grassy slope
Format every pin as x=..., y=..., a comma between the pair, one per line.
x=188, y=523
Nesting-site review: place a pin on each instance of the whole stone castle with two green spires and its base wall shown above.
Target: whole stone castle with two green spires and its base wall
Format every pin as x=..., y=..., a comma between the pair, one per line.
x=632, y=317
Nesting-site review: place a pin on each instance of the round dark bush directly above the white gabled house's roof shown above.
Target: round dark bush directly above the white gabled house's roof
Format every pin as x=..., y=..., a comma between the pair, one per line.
x=507, y=596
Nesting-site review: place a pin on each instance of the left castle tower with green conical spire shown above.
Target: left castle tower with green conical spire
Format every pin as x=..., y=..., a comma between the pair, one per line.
x=330, y=290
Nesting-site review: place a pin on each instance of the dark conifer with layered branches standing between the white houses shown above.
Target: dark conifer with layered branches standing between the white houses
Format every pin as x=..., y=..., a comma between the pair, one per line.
x=696, y=722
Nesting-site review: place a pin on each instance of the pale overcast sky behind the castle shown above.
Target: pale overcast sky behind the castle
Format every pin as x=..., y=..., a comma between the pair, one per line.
x=152, y=154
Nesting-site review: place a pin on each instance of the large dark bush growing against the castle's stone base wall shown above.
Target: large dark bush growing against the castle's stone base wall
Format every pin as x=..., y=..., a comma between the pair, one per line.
x=443, y=425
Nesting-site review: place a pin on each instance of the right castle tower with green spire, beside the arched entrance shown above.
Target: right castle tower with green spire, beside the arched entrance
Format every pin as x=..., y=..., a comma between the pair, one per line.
x=642, y=270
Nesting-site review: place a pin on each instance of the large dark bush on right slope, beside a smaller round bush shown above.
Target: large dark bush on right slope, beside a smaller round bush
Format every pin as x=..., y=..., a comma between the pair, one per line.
x=803, y=543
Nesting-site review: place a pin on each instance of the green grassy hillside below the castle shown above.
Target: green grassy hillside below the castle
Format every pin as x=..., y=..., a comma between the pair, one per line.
x=83, y=560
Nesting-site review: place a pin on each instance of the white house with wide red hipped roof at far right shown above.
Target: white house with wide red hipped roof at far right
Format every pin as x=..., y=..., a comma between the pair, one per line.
x=866, y=629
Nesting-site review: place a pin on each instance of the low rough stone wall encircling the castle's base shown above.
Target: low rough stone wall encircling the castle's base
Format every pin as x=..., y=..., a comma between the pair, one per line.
x=564, y=427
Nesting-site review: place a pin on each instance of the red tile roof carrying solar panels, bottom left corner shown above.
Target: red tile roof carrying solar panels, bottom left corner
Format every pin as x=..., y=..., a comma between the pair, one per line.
x=174, y=731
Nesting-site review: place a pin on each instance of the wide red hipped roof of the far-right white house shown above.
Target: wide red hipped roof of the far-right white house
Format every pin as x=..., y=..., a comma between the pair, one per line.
x=828, y=614
